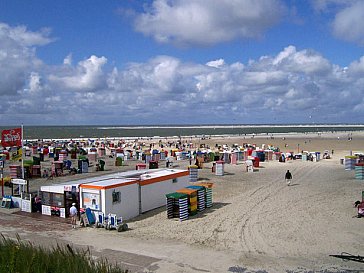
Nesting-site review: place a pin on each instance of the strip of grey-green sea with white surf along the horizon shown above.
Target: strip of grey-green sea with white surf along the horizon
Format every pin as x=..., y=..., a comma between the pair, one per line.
x=153, y=131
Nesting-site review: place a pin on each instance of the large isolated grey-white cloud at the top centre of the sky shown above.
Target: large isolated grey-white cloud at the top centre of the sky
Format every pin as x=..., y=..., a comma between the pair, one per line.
x=200, y=22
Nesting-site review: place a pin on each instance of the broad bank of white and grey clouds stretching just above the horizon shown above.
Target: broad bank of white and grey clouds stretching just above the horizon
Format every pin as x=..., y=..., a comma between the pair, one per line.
x=291, y=86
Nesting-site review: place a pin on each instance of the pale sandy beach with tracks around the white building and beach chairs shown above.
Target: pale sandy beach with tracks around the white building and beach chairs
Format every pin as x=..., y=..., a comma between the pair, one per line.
x=257, y=222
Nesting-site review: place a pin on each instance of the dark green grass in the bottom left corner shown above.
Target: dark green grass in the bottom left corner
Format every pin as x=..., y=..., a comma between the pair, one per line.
x=18, y=256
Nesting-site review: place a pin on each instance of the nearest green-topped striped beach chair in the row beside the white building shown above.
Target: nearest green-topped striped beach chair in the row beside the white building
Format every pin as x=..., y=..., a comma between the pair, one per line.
x=177, y=205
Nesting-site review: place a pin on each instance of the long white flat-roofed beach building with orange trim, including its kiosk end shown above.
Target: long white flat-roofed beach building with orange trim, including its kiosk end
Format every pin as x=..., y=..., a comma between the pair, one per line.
x=126, y=194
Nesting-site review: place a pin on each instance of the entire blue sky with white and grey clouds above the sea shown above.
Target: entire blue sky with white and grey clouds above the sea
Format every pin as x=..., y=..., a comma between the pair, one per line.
x=178, y=62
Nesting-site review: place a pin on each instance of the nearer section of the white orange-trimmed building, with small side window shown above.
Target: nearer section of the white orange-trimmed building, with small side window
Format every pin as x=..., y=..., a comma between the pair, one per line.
x=112, y=195
